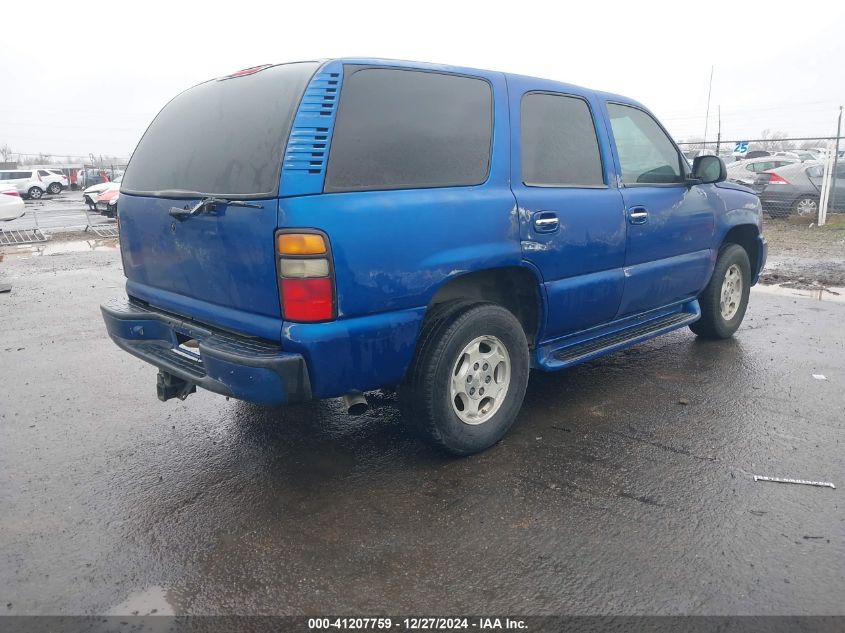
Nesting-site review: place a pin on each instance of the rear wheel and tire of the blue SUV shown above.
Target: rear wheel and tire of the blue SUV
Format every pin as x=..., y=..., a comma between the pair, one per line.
x=455, y=340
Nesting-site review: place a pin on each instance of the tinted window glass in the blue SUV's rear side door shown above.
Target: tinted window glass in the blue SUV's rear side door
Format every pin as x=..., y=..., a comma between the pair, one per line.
x=559, y=144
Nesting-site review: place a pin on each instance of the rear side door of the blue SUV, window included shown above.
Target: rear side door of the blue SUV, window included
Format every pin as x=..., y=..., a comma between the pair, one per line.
x=572, y=225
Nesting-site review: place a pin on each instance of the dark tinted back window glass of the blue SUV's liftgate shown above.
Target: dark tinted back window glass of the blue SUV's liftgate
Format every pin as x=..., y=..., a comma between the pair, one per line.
x=224, y=137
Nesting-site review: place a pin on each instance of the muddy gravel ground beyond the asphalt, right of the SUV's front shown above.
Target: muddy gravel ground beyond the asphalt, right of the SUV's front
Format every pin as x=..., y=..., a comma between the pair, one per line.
x=804, y=255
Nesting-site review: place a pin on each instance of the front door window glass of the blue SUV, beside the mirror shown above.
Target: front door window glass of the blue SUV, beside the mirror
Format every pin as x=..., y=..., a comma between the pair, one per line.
x=646, y=154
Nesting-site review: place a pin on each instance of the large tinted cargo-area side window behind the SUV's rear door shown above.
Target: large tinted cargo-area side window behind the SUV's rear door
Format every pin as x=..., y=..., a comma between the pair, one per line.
x=407, y=129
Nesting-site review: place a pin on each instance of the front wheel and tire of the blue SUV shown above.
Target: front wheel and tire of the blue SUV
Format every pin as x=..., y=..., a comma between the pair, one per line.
x=716, y=323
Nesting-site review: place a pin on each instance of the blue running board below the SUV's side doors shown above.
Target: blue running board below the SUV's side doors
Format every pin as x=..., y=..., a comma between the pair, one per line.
x=561, y=354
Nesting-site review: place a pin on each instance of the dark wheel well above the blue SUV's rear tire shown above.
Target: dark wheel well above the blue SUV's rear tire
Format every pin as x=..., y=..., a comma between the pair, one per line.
x=513, y=288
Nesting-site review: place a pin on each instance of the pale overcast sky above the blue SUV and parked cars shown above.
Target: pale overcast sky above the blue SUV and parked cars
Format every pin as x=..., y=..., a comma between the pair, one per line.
x=80, y=78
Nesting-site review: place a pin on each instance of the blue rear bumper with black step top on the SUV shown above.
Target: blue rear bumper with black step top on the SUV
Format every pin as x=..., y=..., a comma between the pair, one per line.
x=237, y=366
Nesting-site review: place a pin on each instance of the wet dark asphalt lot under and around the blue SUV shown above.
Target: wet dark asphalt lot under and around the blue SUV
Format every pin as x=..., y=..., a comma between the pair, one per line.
x=625, y=487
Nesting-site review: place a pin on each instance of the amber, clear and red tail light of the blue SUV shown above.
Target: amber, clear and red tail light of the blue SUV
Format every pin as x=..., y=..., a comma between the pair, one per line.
x=306, y=276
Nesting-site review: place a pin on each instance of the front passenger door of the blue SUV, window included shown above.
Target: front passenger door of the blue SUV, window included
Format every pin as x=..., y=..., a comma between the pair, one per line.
x=670, y=222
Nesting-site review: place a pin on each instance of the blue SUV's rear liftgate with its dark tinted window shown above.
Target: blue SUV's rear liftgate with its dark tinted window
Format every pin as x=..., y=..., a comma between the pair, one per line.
x=222, y=139
